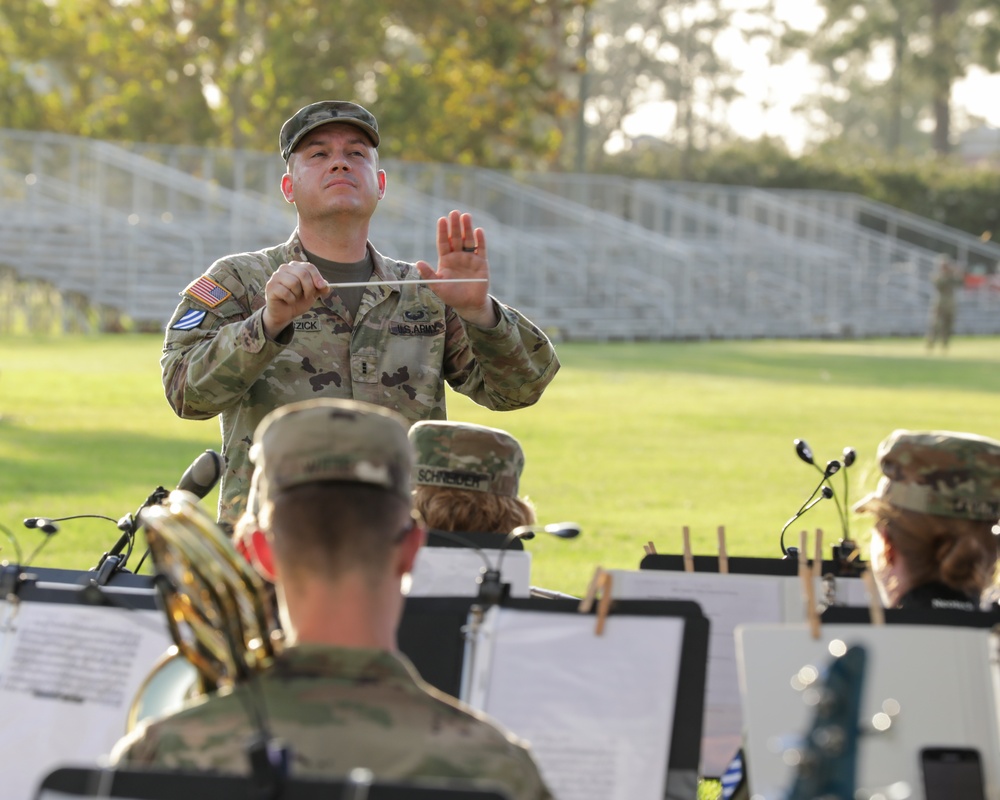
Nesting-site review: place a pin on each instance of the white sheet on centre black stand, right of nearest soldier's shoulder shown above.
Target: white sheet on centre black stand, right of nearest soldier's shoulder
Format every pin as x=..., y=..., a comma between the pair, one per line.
x=597, y=710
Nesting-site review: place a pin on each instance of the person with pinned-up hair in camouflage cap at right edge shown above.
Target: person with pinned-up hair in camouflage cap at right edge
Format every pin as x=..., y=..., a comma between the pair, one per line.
x=935, y=511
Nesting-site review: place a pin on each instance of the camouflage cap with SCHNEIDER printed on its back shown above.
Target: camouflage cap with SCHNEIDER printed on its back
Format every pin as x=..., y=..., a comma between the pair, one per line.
x=466, y=456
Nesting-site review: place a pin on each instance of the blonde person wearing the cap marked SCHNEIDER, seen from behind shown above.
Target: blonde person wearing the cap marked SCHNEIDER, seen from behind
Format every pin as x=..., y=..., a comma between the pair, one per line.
x=467, y=478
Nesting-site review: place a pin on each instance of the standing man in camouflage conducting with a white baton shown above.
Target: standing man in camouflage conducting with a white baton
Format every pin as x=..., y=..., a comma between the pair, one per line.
x=263, y=329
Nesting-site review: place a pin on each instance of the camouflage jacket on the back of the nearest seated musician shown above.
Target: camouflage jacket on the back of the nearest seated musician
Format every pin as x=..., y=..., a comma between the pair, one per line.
x=338, y=709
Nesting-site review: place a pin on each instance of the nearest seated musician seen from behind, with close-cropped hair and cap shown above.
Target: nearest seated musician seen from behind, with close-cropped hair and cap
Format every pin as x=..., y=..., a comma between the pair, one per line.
x=332, y=479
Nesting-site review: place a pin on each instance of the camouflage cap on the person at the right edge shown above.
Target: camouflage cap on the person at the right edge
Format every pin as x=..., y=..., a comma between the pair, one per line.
x=939, y=472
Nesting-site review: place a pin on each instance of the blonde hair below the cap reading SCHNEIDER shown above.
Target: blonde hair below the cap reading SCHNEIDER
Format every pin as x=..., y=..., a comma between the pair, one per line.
x=445, y=508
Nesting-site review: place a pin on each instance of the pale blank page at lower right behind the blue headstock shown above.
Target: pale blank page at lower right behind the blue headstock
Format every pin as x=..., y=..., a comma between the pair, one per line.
x=944, y=681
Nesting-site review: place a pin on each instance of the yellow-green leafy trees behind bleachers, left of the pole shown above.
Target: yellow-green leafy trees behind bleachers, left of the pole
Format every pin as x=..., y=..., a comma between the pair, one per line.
x=475, y=81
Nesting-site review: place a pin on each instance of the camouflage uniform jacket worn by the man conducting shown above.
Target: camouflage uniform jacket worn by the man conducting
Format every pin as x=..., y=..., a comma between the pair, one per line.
x=397, y=353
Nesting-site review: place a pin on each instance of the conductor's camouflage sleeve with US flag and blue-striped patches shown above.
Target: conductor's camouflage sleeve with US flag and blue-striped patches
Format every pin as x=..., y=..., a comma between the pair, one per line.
x=207, y=367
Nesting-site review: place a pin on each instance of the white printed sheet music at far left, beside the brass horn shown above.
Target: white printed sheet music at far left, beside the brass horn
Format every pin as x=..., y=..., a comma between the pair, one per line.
x=68, y=674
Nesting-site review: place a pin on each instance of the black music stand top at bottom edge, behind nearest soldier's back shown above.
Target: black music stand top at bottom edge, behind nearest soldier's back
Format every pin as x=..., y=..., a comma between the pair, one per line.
x=69, y=782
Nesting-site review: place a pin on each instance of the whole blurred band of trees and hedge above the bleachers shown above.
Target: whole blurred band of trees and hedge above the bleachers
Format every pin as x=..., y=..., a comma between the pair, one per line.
x=528, y=84
